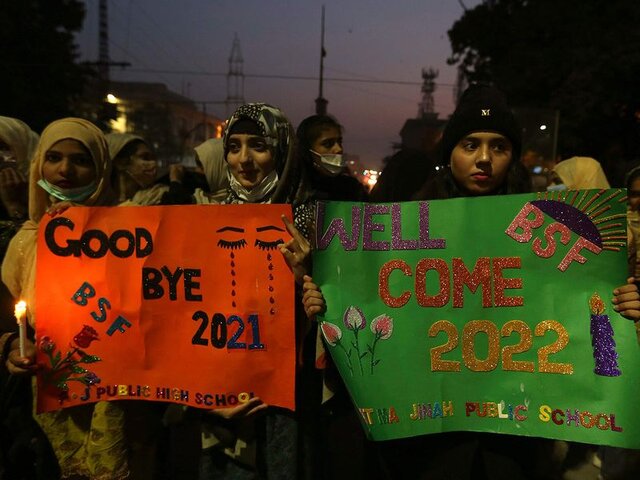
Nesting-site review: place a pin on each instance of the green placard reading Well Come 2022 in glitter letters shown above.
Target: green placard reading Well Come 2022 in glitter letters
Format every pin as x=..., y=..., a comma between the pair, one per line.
x=487, y=314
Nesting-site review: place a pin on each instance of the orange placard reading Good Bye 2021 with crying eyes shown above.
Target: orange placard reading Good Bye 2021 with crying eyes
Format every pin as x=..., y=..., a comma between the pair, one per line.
x=189, y=304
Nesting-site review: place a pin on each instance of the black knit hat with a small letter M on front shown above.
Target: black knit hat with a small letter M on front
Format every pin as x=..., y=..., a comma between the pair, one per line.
x=482, y=108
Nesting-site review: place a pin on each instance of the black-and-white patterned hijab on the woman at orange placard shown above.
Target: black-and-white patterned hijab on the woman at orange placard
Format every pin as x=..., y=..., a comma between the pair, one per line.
x=278, y=133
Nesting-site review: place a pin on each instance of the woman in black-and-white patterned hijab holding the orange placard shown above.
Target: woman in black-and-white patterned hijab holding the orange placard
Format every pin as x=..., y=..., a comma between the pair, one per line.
x=251, y=440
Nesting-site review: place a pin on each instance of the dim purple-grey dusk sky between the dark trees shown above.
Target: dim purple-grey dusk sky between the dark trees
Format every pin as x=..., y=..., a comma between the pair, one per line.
x=186, y=45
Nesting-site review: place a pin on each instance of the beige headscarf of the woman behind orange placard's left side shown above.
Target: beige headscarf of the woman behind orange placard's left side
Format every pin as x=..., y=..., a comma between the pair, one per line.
x=18, y=267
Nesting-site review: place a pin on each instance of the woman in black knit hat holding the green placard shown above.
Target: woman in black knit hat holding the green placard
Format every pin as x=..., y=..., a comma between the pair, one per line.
x=481, y=147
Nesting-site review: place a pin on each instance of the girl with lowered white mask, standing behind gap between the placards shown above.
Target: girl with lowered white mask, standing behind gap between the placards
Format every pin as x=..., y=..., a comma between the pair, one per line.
x=333, y=428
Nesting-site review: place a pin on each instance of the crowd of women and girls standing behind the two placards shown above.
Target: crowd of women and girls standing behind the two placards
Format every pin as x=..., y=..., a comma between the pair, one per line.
x=260, y=159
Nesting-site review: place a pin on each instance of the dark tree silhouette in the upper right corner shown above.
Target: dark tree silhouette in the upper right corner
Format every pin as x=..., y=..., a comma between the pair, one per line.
x=581, y=57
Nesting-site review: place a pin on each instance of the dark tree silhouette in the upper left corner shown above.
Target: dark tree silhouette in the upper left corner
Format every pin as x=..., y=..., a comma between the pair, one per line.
x=40, y=76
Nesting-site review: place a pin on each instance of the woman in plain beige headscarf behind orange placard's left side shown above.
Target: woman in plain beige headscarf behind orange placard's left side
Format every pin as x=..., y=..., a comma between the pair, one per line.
x=71, y=166
